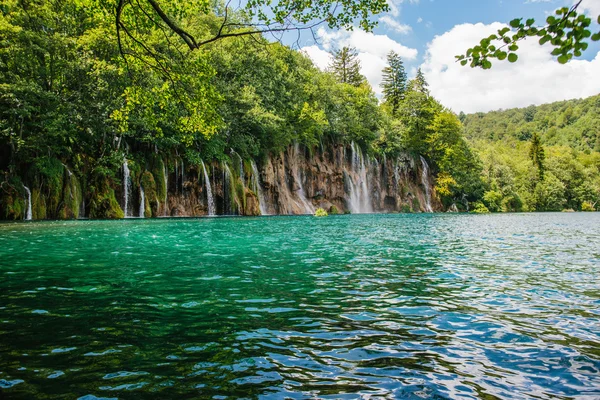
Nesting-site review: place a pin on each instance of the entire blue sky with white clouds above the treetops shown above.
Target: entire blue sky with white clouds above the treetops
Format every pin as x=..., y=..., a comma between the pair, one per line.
x=429, y=33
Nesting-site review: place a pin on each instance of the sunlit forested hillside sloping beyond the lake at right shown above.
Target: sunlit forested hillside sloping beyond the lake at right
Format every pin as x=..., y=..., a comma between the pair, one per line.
x=542, y=158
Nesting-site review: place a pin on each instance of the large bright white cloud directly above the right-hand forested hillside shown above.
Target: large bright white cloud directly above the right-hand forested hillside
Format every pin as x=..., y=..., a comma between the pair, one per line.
x=535, y=79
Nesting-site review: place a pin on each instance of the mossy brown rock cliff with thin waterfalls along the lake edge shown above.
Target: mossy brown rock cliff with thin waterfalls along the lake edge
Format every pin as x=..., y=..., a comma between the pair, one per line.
x=297, y=181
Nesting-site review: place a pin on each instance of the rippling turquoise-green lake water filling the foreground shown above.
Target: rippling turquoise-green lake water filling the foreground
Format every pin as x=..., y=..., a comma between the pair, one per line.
x=396, y=306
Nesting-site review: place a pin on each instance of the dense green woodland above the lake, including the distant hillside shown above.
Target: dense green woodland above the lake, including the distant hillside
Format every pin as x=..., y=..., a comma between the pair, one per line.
x=80, y=101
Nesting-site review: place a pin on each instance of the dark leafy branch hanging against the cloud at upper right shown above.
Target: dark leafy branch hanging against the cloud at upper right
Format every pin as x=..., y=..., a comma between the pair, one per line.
x=568, y=32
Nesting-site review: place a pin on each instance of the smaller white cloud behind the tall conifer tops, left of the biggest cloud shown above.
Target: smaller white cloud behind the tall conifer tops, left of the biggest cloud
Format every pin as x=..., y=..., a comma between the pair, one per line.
x=372, y=51
